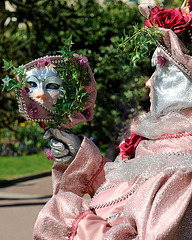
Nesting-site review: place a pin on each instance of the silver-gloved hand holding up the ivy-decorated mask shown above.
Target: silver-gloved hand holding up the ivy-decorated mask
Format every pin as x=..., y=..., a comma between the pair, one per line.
x=64, y=146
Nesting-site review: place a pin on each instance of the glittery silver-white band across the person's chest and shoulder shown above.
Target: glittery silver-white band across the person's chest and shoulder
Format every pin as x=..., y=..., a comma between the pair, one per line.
x=148, y=166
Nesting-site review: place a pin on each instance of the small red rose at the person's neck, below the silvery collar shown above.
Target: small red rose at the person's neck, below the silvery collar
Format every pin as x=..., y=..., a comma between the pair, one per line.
x=127, y=149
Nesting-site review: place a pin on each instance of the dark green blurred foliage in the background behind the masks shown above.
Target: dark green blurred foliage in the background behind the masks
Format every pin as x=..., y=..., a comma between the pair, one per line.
x=37, y=28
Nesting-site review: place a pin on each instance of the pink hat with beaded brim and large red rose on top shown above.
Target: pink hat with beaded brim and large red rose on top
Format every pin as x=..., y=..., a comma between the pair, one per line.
x=175, y=26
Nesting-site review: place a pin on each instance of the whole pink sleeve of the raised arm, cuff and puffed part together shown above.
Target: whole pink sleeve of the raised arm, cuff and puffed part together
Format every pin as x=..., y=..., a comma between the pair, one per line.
x=61, y=217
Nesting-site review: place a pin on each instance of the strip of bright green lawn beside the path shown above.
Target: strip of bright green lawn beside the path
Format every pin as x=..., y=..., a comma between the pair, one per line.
x=20, y=166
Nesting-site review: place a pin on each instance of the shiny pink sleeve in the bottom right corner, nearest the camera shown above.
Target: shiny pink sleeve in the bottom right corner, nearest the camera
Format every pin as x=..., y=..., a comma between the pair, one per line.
x=159, y=209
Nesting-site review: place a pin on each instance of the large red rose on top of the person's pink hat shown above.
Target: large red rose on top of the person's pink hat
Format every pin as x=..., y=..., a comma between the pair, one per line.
x=174, y=19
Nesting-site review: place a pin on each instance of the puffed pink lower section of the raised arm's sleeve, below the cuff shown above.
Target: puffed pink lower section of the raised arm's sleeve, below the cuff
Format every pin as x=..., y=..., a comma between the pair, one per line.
x=62, y=219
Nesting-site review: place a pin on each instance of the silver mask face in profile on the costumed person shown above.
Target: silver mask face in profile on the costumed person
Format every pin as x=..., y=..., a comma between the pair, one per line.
x=171, y=89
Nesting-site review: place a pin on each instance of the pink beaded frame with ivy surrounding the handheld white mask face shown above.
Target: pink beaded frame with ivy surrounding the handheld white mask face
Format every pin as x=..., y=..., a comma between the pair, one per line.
x=77, y=93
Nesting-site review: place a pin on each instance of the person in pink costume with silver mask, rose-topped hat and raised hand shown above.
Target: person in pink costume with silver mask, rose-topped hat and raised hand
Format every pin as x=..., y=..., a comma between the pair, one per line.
x=149, y=196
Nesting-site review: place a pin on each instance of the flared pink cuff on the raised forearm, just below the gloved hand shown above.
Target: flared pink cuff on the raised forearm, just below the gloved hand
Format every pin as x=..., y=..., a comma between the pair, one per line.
x=84, y=175
